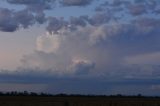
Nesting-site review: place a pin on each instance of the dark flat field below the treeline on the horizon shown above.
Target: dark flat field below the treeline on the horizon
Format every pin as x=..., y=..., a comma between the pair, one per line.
x=76, y=101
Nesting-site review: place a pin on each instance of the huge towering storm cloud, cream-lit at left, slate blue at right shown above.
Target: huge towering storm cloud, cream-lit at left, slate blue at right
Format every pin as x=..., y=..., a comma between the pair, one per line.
x=97, y=50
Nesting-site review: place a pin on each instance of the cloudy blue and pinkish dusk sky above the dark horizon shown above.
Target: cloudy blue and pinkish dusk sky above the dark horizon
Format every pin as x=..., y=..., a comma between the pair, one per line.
x=80, y=46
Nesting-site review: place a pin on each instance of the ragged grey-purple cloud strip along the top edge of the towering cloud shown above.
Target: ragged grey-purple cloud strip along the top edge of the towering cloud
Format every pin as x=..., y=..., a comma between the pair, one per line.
x=55, y=24
